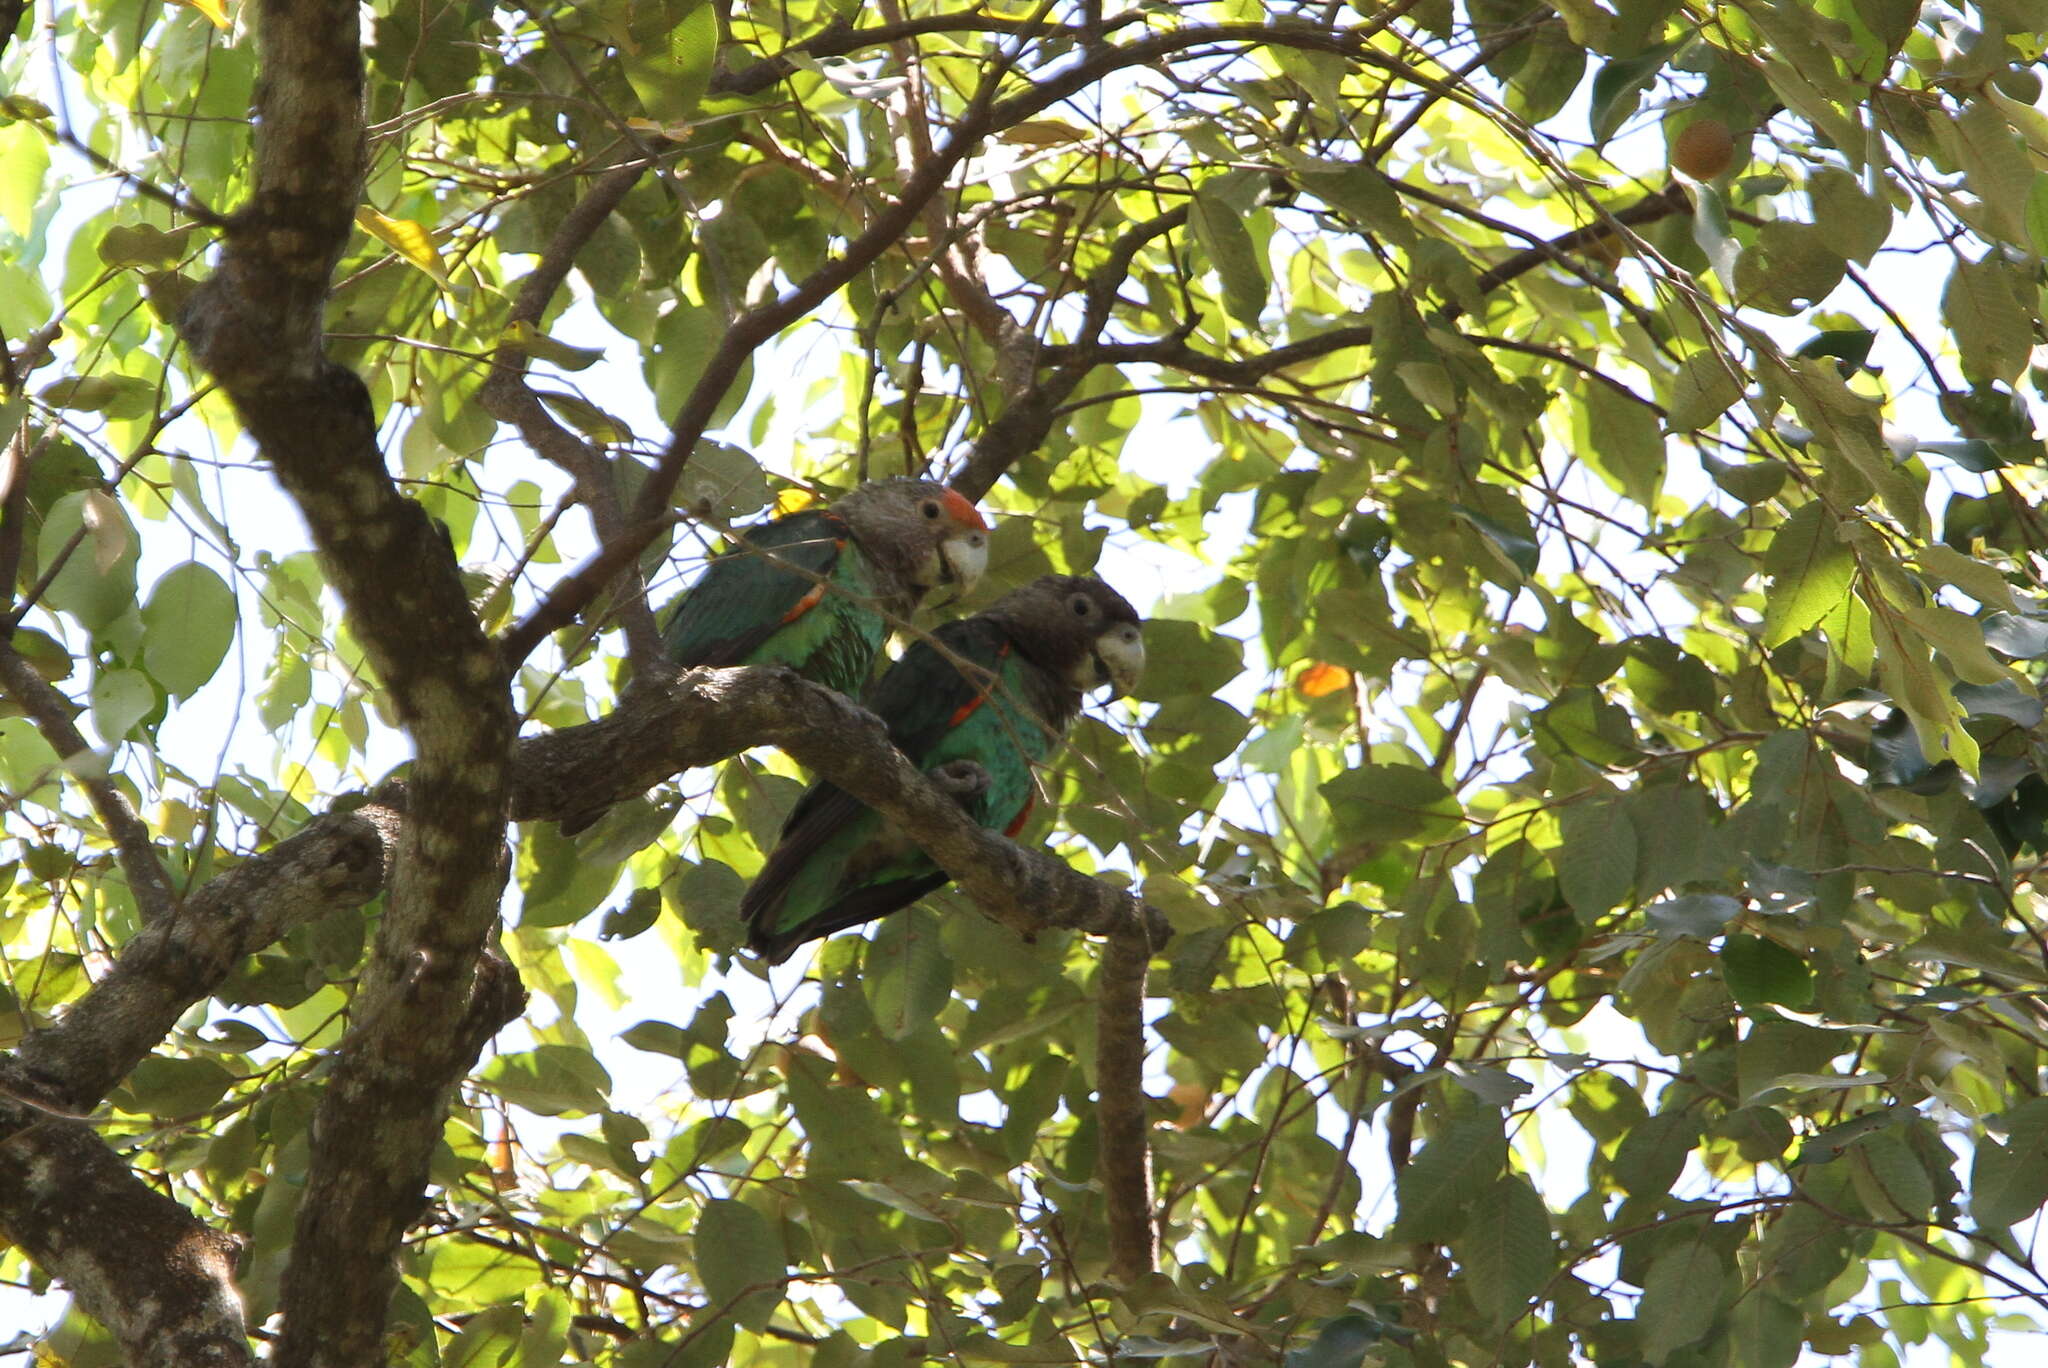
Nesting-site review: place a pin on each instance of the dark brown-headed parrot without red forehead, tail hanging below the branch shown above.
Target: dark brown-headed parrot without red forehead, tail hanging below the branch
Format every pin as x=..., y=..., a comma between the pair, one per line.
x=976, y=710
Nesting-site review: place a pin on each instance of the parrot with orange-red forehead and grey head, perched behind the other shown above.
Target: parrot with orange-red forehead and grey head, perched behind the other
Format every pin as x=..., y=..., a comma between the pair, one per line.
x=818, y=589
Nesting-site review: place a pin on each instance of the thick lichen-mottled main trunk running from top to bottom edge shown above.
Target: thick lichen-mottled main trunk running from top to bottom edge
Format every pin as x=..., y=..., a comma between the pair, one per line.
x=257, y=325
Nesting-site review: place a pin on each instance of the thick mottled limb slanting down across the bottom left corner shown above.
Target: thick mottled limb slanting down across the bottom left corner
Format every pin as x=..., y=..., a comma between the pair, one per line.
x=138, y=1263
